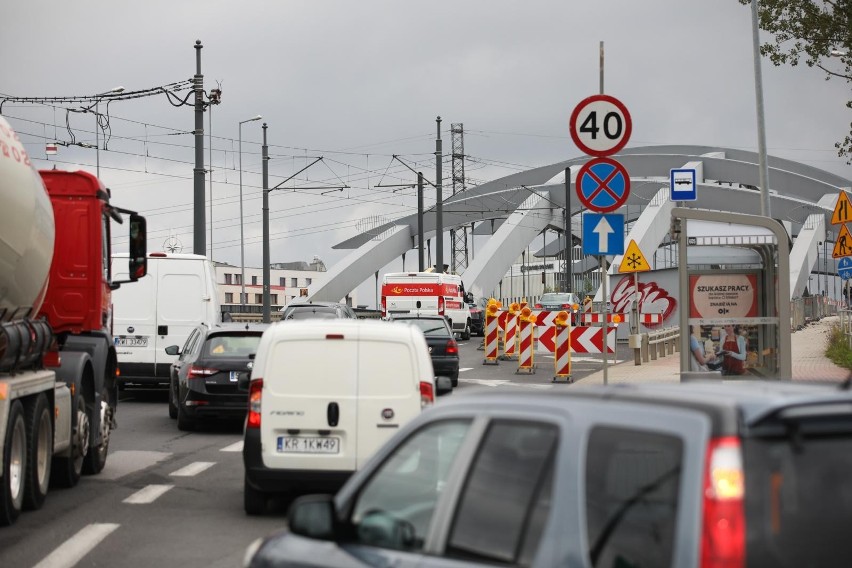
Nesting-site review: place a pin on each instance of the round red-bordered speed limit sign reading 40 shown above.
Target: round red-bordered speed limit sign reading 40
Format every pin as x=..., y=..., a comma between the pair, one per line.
x=600, y=125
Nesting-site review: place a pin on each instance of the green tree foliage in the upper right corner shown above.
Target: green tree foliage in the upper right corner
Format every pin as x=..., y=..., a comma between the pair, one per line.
x=816, y=31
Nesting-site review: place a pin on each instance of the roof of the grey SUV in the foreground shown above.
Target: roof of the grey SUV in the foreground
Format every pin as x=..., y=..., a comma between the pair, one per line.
x=730, y=405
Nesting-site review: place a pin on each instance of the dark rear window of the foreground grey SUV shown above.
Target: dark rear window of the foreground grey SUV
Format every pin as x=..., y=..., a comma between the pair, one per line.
x=799, y=496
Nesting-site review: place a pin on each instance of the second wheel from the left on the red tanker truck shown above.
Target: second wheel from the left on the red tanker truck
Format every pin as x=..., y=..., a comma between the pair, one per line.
x=39, y=452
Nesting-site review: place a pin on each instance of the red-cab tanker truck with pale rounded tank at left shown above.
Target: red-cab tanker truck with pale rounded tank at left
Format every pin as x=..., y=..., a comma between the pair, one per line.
x=58, y=364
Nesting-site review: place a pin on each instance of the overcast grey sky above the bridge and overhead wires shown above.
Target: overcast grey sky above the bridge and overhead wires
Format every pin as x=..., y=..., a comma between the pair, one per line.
x=360, y=81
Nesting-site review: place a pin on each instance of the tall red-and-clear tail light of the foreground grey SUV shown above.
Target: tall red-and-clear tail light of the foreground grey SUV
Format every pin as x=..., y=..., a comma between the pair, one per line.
x=723, y=528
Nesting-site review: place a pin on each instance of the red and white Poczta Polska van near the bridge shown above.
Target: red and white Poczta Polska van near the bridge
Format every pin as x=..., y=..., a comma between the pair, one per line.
x=427, y=293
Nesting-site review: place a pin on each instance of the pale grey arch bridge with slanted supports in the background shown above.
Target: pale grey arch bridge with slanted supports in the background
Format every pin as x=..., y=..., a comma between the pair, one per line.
x=517, y=208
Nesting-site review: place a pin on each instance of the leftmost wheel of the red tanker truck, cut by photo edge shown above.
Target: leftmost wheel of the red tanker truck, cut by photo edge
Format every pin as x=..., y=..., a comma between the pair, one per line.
x=14, y=466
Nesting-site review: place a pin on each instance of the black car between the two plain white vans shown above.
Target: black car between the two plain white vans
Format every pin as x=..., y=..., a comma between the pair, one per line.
x=205, y=379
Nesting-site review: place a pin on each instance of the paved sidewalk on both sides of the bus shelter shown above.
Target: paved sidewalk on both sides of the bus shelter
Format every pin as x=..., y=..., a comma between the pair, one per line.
x=809, y=361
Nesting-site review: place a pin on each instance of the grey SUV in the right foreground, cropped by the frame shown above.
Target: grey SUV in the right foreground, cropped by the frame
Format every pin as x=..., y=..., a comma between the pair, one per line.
x=750, y=474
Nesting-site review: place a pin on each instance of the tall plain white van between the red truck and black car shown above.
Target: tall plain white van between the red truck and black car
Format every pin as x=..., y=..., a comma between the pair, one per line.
x=161, y=309
